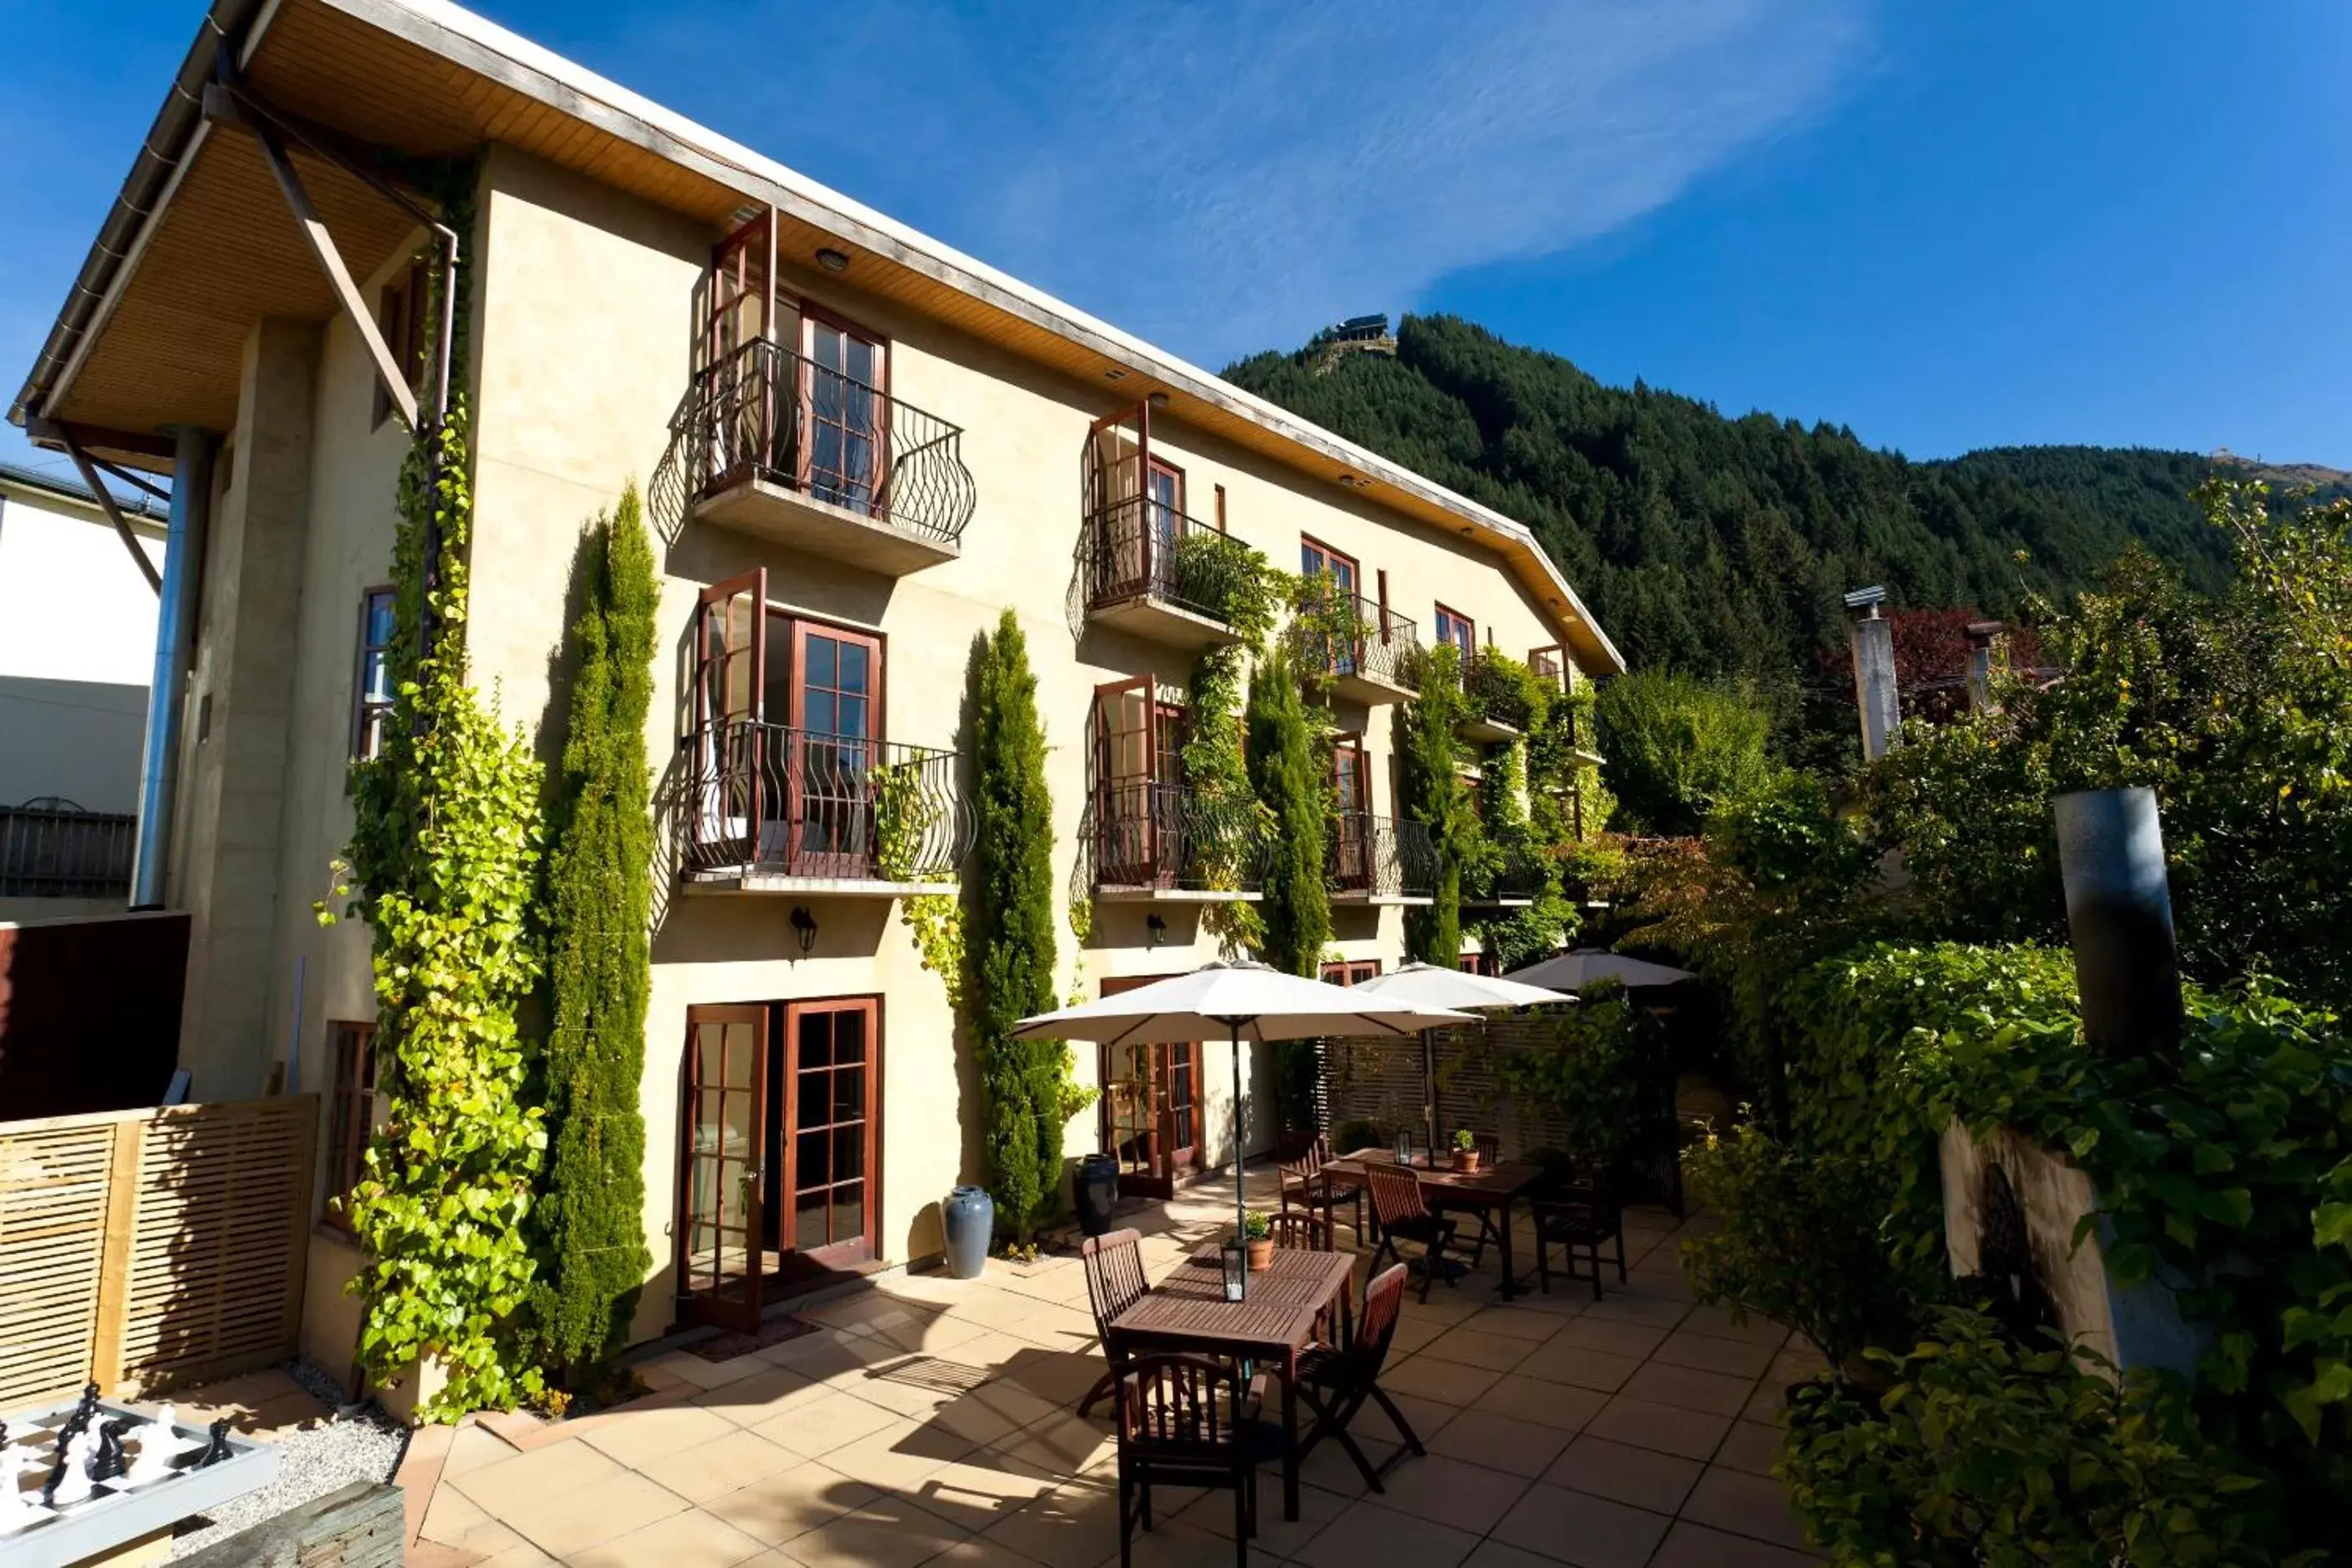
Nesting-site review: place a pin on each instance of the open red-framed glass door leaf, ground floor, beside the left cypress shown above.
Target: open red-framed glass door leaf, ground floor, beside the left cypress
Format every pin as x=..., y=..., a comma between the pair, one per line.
x=721, y=1254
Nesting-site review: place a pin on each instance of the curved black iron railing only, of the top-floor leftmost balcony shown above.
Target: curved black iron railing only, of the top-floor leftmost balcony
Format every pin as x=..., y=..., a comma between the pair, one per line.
x=773, y=415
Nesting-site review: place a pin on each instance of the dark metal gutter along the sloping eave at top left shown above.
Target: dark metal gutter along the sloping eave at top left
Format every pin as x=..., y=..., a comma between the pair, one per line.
x=145, y=194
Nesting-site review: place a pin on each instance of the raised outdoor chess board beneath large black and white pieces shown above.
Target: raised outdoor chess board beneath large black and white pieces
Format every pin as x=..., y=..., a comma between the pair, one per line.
x=119, y=1513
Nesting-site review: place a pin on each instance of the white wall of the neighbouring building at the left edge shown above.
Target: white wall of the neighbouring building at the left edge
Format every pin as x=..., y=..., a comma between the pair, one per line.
x=76, y=645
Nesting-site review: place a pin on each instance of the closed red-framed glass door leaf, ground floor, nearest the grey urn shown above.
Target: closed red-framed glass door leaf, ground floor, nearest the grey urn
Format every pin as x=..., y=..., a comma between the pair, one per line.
x=834, y=1071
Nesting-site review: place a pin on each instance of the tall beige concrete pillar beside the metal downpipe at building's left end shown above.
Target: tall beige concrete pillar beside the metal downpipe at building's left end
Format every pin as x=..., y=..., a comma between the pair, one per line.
x=243, y=699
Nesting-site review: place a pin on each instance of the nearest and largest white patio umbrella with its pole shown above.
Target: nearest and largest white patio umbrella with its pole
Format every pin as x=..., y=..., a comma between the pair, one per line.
x=1241, y=1003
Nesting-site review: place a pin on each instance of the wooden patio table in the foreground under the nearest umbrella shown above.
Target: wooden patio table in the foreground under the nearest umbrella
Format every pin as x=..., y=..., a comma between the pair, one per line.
x=1271, y=1325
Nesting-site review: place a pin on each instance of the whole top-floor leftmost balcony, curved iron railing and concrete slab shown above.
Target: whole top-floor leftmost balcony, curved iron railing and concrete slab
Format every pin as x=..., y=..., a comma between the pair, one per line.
x=775, y=445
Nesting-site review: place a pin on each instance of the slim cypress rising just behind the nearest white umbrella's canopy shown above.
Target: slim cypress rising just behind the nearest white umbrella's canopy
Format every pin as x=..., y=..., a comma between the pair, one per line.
x=1295, y=803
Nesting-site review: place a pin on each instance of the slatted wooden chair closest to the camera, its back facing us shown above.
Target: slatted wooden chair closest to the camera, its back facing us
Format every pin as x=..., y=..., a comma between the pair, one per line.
x=1184, y=1423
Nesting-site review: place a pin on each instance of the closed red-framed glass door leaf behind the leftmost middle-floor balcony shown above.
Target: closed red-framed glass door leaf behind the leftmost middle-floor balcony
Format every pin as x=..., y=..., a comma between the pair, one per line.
x=836, y=730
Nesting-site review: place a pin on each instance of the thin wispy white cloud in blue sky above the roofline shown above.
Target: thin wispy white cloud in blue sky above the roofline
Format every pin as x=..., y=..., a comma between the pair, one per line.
x=1231, y=175
